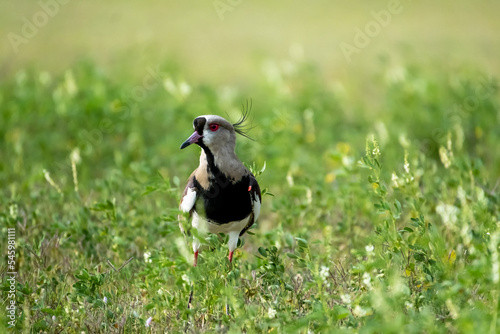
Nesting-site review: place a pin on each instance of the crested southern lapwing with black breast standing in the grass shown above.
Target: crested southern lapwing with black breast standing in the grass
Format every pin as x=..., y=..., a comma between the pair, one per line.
x=221, y=195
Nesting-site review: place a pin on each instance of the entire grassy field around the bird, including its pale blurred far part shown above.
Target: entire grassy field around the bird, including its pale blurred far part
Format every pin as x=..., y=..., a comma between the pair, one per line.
x=380, y=175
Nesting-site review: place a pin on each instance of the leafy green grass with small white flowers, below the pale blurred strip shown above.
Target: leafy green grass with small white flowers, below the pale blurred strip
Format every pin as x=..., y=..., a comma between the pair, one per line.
x=384, y=217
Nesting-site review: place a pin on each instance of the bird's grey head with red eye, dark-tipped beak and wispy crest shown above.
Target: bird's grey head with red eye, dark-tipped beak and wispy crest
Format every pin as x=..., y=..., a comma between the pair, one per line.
x=215, y=133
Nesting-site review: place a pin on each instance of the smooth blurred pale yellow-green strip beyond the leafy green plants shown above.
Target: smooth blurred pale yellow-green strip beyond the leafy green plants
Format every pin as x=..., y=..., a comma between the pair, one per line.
x=218, y=44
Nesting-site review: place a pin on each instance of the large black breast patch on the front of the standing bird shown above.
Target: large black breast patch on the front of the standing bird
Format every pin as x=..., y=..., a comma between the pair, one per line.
x=224, y=201
